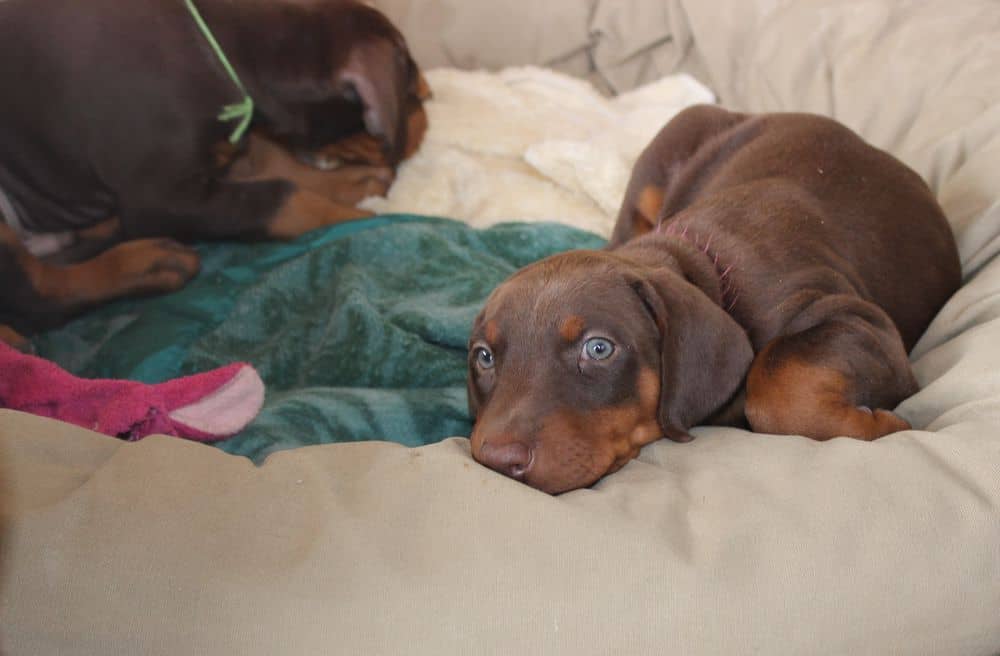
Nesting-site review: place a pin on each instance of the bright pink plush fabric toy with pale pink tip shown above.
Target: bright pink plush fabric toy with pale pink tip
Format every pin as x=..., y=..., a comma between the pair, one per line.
x=203, y=407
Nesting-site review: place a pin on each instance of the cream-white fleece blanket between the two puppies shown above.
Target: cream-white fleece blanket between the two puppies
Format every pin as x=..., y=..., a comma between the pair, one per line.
x=531, y=144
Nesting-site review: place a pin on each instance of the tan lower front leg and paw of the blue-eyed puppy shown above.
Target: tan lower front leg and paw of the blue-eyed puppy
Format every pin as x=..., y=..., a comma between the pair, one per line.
x=793, y=397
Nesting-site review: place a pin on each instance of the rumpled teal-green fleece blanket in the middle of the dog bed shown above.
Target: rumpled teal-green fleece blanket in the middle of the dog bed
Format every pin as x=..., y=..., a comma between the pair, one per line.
x=359, y=331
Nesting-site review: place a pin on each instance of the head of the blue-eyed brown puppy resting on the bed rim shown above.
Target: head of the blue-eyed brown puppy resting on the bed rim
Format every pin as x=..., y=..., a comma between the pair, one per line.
x=578, y=361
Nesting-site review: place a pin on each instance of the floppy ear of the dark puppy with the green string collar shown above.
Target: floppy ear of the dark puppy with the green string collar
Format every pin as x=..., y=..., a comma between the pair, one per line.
x=379, y=81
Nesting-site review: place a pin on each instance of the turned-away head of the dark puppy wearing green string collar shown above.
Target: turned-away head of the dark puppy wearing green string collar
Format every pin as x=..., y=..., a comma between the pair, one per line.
x=346, y=69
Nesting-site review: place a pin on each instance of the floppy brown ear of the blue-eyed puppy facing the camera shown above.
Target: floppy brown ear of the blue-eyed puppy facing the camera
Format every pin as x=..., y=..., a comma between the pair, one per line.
x=704, y=353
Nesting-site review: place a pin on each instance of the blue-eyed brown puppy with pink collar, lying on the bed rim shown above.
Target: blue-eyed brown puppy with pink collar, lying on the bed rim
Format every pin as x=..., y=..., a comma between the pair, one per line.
x=766, y=271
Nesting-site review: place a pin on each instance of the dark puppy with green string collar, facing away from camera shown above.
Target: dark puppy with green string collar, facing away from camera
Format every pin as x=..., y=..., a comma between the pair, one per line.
x=112, y=133
